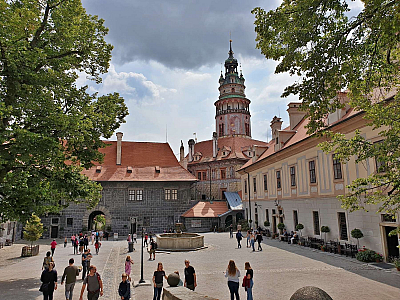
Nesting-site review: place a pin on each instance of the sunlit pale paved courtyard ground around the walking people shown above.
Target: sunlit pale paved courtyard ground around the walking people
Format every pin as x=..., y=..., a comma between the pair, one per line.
x=279, y=270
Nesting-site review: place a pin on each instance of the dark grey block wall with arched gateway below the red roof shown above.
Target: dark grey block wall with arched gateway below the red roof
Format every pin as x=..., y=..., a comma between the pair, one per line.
x=154, y=212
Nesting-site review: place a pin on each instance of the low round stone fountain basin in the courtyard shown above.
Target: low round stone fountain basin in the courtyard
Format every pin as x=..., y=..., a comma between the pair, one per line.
x=180, y=241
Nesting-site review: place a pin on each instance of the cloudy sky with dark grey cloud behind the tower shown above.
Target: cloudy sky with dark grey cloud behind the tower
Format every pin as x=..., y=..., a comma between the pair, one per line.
x=166, y=64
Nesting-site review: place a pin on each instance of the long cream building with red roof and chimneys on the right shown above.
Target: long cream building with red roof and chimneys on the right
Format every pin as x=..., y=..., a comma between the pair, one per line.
x=294, y=181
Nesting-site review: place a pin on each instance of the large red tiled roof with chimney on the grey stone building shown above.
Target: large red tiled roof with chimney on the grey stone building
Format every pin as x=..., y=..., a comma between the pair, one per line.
x=143, y=157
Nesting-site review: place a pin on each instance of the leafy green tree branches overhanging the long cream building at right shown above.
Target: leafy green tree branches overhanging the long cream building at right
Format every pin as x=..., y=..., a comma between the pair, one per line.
x=331, y=48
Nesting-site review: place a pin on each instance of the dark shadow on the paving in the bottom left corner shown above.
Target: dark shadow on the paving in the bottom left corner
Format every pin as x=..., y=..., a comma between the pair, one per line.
x=20, y=289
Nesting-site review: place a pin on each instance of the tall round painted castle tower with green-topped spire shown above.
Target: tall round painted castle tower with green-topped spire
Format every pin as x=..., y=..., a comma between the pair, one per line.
x=232, y=116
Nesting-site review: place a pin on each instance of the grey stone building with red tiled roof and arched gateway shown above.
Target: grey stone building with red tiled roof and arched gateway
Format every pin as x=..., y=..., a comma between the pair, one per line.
x=143, y=185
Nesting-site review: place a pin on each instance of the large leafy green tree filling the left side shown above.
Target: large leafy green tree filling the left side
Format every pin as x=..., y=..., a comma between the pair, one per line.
x=50, y=129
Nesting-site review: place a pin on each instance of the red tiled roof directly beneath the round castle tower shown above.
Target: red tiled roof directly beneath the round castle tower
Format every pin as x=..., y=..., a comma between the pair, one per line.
x=237, y=145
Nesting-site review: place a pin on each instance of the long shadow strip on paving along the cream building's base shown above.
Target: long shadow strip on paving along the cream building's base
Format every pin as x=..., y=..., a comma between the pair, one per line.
x=349, y=264
